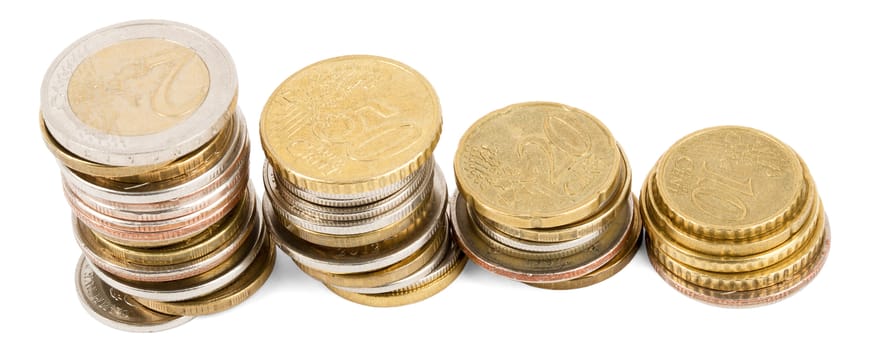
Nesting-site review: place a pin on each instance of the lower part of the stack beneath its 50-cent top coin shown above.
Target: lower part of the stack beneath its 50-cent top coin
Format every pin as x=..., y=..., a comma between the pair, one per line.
x=389, y=247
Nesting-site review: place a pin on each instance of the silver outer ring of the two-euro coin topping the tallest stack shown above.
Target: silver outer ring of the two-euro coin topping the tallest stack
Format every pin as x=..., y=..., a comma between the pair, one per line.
x=162, y=146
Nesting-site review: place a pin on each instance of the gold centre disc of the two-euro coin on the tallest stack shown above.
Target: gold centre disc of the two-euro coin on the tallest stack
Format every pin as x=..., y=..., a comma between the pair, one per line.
x=165, y=86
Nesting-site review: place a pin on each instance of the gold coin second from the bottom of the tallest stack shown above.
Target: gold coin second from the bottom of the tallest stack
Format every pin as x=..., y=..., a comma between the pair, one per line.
x=229, y=296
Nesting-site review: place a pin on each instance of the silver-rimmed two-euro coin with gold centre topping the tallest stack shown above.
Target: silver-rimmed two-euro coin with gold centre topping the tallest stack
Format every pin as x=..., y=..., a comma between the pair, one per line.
x=139, y=93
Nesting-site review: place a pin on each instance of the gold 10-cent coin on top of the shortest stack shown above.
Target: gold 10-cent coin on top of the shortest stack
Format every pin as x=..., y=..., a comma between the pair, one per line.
x=729, y=182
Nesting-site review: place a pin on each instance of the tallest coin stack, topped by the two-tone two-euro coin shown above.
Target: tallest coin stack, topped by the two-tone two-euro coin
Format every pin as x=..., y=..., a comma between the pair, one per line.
x=154, y=158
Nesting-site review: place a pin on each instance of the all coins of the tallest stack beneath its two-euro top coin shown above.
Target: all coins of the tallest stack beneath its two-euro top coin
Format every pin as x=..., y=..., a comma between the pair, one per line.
x=174, y=242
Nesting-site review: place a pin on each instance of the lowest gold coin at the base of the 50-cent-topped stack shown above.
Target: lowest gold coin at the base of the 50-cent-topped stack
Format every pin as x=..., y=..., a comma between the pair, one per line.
x=408, y=295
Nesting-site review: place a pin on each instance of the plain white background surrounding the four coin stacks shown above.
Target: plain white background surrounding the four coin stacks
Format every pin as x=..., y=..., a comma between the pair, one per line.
x=805, y=72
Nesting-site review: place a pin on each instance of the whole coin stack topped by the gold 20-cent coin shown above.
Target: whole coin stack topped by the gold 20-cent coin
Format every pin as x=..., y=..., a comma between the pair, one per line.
x=544, y=197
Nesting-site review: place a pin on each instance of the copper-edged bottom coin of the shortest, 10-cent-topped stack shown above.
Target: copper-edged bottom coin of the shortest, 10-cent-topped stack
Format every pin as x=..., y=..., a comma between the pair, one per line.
x=752, y=298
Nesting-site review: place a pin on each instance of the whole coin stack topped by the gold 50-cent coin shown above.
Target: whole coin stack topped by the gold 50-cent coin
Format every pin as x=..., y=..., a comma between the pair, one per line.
x=352, y=192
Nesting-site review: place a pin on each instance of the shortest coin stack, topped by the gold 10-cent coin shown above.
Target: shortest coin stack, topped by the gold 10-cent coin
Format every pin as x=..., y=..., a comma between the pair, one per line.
x=733, y=218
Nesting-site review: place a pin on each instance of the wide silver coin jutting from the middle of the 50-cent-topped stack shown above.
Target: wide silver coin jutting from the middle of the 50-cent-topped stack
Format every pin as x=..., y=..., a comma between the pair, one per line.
x=361, y=259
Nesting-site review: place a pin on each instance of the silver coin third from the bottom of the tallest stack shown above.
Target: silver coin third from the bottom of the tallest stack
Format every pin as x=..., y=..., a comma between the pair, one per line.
x=195, y=286
